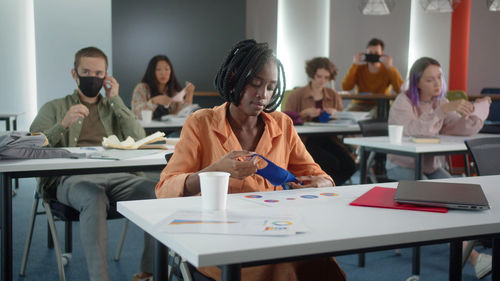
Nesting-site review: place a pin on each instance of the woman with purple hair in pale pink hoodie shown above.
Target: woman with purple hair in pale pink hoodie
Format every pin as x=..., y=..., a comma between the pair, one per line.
x=424, y=111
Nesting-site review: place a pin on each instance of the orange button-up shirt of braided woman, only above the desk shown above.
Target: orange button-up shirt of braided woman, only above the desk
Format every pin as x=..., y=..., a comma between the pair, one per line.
x=207, y=136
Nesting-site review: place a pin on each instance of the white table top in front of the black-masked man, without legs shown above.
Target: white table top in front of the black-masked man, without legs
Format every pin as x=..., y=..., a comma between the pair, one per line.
x=26, y=165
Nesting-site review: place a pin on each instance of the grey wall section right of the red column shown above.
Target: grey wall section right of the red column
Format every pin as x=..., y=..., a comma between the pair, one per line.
x=484, y=48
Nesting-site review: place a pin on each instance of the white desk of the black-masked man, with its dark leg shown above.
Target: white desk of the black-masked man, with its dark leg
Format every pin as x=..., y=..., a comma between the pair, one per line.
x=10, y=169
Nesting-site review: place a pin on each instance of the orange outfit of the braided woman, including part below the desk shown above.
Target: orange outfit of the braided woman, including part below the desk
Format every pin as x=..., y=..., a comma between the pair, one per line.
x=206, y=137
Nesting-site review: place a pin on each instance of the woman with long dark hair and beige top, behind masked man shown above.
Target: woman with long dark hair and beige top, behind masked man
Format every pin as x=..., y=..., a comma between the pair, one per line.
x=160, y=91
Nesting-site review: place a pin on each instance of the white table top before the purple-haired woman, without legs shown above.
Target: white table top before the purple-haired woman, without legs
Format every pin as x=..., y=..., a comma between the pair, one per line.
x=447, y=143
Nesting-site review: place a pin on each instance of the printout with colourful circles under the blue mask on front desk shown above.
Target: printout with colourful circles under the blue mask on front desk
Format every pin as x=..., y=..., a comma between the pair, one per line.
x=290, y=197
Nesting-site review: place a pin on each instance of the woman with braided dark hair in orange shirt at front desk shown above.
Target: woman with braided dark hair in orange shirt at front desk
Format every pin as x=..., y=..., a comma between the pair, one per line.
x=251, y=81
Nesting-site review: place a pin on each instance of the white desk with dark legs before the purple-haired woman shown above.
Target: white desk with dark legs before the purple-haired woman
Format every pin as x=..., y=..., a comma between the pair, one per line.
x=448, y=145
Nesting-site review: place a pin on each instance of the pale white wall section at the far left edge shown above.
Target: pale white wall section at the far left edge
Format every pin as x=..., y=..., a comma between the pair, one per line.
x=17, y=74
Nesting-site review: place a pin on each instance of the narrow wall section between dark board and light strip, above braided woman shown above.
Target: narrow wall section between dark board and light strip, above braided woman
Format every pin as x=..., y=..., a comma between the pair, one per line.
x=262, y=21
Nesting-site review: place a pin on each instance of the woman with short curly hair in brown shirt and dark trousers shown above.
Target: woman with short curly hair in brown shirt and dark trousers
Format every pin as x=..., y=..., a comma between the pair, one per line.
x=310, y=101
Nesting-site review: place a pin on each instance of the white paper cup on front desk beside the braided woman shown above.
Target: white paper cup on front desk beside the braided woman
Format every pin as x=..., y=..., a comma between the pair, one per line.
x=214, y=187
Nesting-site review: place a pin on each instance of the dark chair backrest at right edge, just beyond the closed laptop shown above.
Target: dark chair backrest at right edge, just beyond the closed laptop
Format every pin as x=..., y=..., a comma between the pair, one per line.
x=485, y=154
